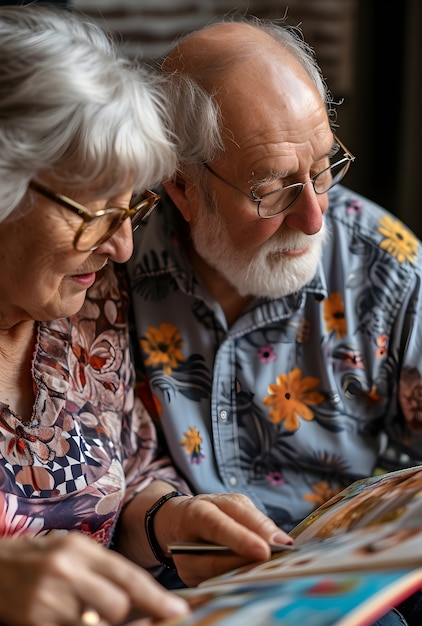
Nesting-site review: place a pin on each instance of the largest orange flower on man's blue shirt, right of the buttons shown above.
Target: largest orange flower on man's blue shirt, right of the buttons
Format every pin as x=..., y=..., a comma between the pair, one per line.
x=289, y=398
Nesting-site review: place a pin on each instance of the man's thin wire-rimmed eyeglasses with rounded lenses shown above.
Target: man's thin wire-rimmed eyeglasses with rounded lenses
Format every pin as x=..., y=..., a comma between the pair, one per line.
x=275, y=202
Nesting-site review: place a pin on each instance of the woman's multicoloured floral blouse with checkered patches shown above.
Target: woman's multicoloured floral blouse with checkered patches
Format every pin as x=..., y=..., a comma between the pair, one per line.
x=89, y=445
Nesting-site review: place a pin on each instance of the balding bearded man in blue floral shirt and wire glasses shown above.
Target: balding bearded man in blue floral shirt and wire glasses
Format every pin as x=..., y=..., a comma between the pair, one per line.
x=278, y=313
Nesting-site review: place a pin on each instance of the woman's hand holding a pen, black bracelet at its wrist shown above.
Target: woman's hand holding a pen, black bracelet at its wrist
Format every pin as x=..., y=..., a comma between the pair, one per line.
x=228, y=519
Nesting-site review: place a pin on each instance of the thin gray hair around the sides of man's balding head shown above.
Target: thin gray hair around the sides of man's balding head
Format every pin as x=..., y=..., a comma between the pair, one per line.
x=195, y=112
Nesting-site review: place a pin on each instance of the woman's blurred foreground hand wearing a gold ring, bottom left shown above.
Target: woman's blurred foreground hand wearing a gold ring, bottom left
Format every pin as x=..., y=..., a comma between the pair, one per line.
x=49, y=581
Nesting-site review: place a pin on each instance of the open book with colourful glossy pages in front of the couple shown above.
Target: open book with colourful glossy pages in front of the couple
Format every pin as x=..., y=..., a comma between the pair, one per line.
x=353, y=558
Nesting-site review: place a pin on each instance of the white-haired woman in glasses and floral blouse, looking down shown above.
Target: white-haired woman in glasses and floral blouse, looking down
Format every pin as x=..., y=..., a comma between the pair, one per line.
x=82, y=134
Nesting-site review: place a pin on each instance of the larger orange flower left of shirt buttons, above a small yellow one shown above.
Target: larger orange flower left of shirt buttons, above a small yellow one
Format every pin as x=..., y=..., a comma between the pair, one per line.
x=163, y=345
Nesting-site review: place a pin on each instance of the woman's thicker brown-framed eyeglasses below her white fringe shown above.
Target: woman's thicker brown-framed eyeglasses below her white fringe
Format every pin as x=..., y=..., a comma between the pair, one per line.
x=98, y=226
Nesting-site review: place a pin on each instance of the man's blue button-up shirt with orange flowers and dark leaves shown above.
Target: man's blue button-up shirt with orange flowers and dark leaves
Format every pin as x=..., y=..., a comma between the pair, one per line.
x=302, y=394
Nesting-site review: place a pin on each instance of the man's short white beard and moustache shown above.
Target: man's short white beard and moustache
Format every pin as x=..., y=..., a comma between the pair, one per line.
x=266, y=272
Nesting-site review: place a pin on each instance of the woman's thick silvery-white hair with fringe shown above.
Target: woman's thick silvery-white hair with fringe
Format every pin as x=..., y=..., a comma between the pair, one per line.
x=72, y=108
